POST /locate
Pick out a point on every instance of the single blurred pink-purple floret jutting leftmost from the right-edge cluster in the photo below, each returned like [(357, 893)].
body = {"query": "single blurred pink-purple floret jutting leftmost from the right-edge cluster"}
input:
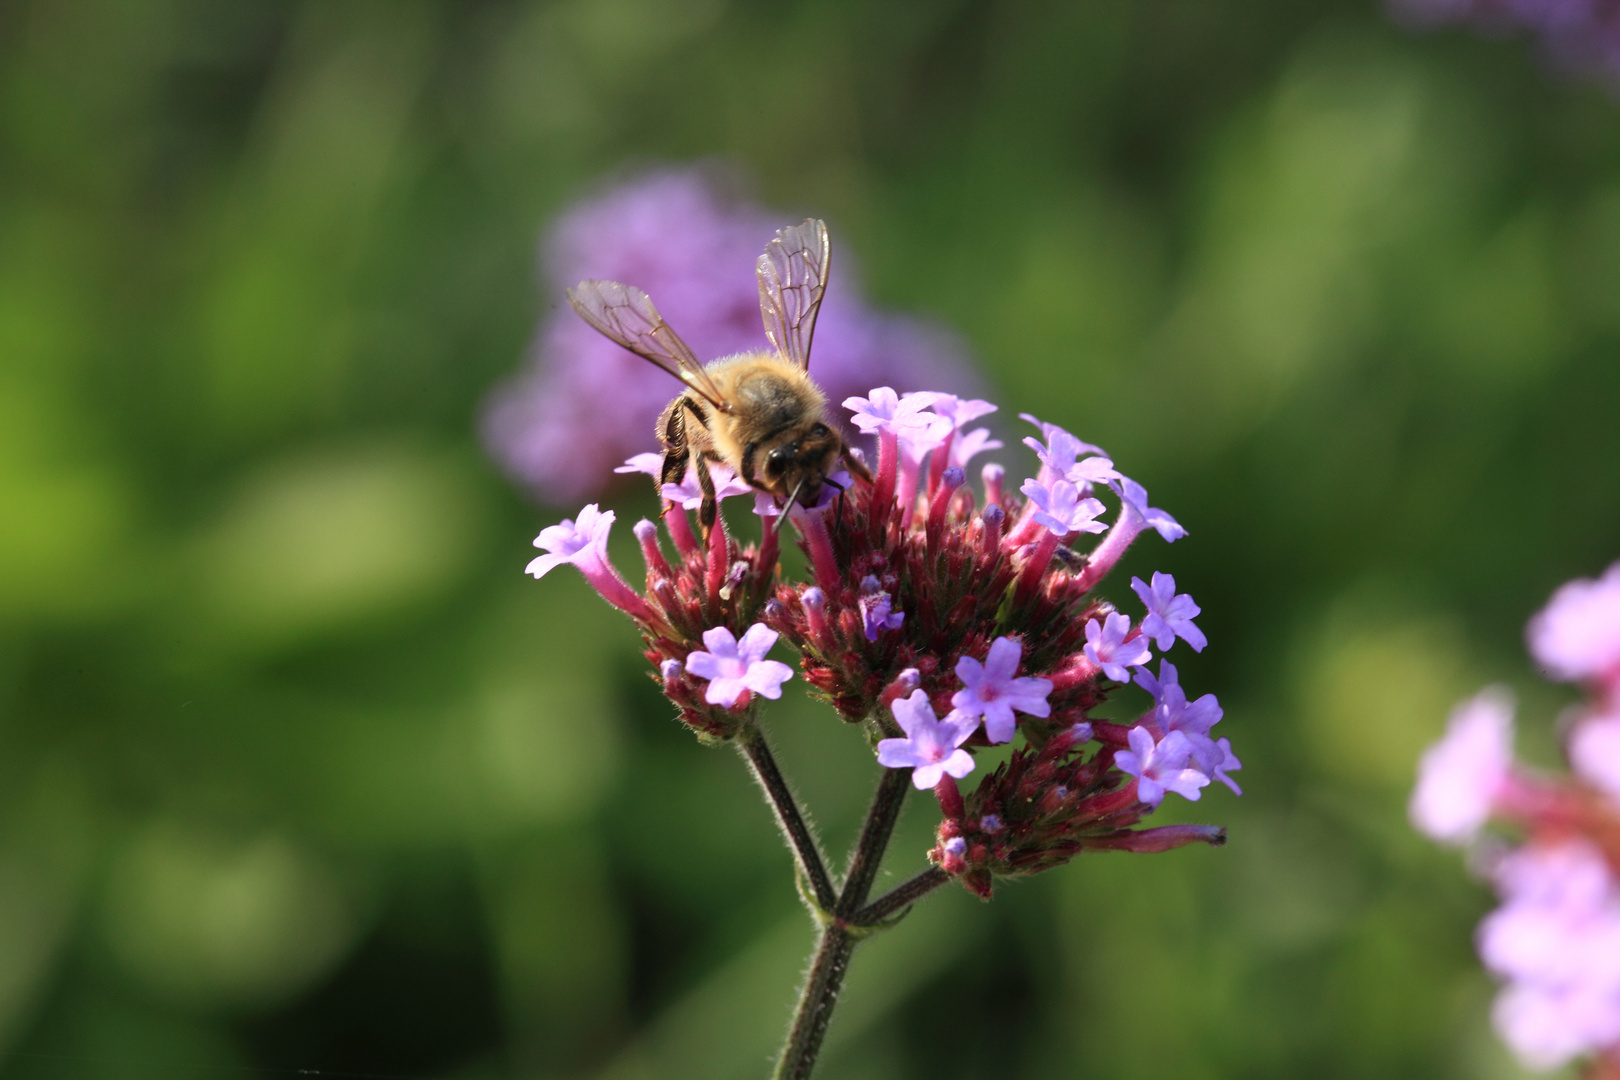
[(1459, 778)]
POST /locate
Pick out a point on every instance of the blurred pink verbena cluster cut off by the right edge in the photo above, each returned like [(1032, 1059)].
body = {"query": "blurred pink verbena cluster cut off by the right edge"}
[(1556, 940)]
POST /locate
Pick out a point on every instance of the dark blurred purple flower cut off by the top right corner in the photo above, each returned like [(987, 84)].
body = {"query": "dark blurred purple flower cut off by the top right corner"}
[(1580, 36)]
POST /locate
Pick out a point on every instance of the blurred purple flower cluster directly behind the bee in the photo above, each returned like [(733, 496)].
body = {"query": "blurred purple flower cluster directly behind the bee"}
[(584, 404)]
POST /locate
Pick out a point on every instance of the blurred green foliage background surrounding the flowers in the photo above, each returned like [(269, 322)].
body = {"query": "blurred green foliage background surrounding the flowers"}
[(299, 770)]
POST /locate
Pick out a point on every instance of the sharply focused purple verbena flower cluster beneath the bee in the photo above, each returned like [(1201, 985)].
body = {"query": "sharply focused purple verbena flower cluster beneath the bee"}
[(945, 623)]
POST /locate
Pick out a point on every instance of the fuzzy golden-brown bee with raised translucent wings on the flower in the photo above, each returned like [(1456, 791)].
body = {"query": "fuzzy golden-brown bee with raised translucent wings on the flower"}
[(757, 412)]
